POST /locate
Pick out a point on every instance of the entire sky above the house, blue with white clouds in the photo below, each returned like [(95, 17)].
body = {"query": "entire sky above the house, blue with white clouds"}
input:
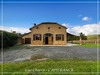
[(78, 17)]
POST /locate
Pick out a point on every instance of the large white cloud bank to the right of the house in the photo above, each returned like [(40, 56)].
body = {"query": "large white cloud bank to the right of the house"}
[(88, 29)]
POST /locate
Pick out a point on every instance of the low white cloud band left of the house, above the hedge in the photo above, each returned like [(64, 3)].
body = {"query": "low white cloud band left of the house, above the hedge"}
[(17, 29)]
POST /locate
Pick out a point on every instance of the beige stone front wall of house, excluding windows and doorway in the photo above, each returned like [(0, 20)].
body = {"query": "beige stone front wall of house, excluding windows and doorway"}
[(43, 29)]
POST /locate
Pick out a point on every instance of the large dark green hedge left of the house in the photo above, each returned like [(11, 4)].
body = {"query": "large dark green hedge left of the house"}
[(9, 39)]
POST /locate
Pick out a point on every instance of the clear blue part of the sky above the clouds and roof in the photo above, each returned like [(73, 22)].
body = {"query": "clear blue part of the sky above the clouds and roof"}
[(26, 14)]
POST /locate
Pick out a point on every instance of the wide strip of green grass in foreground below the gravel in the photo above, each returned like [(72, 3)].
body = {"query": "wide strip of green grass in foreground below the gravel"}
[(76, 64)]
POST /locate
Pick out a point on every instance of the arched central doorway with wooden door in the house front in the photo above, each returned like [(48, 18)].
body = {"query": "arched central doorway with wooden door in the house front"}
[(48, 39)]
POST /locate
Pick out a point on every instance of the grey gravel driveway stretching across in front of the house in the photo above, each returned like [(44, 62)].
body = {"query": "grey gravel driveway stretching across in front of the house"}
[(51, 52)]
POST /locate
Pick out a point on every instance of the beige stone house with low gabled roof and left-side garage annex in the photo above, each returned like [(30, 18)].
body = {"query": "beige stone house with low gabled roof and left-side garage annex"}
[(46, 33)]
